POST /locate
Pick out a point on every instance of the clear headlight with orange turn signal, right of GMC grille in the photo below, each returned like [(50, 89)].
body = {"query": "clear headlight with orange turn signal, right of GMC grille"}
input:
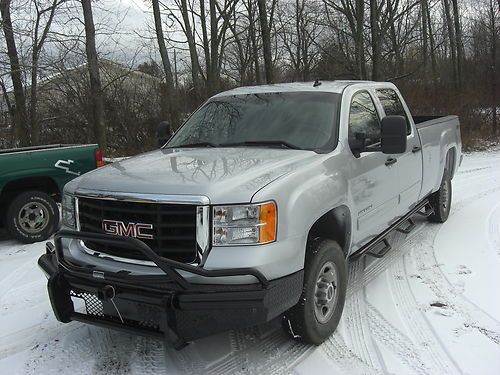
[(245, 224)]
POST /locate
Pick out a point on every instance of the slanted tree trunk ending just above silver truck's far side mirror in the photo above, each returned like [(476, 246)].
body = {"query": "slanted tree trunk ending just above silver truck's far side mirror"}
[(167, 67)]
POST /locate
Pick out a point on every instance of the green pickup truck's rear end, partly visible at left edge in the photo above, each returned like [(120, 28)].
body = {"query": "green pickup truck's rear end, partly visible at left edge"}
[(31, 183)]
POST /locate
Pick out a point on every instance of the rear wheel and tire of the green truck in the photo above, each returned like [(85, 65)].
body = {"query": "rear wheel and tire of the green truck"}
[(32, 216)]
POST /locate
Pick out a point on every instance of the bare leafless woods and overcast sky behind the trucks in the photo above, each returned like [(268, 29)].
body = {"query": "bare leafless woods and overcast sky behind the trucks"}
[(442, 54)]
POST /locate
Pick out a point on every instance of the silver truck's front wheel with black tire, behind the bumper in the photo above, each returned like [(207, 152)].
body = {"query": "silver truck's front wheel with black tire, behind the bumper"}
[(318, 312)]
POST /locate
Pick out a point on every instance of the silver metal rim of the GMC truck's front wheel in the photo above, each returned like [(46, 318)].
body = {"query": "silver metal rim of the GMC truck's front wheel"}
[(325, 293)]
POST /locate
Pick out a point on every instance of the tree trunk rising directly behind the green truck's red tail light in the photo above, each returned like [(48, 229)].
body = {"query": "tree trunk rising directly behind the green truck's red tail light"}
[(96, 94)]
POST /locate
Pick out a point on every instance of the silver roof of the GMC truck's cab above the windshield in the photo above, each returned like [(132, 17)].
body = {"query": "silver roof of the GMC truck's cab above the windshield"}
[(326, 86)]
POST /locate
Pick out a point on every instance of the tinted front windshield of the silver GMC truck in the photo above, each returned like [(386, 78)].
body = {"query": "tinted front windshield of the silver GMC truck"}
[(301, 120)]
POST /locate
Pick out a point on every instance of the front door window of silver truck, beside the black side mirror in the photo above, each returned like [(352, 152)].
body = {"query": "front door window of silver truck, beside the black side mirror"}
[(363, 121)]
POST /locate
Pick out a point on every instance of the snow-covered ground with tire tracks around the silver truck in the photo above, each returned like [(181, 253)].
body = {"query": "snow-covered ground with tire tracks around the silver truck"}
[(430, 306)]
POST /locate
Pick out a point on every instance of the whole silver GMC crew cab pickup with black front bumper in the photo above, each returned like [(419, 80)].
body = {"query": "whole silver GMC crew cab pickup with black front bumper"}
[(250, 211)]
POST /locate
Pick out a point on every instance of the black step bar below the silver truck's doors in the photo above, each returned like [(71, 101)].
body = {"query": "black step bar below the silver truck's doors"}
[(369, 248)]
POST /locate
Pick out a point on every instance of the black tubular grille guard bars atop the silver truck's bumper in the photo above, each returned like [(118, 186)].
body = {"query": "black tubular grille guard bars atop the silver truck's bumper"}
[(168, 266)]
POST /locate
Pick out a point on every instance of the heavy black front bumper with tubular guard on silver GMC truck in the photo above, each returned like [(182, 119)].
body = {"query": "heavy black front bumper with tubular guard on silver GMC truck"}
[(162, 306)]
